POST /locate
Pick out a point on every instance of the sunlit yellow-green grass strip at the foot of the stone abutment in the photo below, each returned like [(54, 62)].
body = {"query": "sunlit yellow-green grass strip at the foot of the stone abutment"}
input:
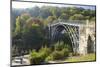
[(88, 57)]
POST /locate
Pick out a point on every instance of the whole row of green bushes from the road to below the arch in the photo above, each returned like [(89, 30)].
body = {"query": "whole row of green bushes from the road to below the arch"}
[(46, 54)]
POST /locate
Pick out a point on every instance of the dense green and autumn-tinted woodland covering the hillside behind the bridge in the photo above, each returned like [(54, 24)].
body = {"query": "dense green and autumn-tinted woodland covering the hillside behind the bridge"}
[(30, 26)]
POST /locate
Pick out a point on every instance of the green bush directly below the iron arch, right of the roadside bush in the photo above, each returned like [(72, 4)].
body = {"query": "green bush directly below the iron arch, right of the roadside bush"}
[(61, 50)]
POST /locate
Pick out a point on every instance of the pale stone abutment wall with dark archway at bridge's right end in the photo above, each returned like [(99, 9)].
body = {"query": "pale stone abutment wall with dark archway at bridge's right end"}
[(87, 39)]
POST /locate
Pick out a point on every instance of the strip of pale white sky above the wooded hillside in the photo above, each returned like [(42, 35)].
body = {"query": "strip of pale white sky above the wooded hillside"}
[(16, 4)]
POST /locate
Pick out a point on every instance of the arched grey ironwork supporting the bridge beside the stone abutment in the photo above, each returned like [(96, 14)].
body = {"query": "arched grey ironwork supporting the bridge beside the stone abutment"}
[(73, 32)]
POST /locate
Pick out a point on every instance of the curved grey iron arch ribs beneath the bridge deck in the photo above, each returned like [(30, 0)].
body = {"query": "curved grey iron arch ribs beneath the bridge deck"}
[(71, 31)]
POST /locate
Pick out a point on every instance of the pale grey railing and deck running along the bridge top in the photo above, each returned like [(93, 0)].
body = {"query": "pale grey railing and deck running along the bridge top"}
[(73, 22)]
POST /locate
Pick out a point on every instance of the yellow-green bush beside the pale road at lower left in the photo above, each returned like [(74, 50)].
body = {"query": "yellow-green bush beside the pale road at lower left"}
[(38, 57)]
